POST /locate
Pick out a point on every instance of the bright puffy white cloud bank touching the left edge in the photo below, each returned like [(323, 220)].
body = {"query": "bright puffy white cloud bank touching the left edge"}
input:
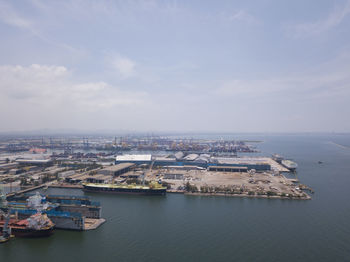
[(52, 87)]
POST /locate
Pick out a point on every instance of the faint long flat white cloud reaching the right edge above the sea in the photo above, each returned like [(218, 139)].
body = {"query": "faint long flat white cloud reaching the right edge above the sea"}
[(300, 87)]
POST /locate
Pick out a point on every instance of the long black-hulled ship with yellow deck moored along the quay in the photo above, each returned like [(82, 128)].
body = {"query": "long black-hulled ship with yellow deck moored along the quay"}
[(151, 189)]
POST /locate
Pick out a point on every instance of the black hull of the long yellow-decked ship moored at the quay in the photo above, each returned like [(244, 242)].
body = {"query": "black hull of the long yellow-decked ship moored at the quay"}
[(128, 191)]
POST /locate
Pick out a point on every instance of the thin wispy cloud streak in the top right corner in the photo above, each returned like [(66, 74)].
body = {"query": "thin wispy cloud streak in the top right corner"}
[(334, 19)]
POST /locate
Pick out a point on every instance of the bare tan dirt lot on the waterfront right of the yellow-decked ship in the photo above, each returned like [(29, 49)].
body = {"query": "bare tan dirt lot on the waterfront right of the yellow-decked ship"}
[(245, 183)]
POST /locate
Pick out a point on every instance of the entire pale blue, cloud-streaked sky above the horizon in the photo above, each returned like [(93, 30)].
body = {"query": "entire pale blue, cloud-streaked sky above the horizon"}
[(173, 66)]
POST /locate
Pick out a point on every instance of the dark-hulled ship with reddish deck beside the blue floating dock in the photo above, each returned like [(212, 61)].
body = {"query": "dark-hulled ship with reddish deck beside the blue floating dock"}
[(37, 225)]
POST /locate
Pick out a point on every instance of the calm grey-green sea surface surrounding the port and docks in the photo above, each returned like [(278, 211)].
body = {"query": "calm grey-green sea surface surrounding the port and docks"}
[(192, 228)]
